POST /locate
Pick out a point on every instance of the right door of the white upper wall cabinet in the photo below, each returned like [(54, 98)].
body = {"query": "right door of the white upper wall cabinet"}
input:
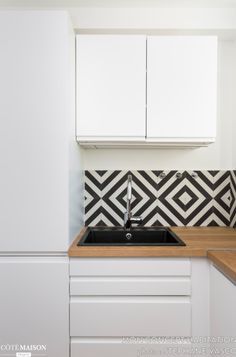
[(181, 88)]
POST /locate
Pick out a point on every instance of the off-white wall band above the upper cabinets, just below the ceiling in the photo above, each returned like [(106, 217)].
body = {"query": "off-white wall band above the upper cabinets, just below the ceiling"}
[(153, 18)]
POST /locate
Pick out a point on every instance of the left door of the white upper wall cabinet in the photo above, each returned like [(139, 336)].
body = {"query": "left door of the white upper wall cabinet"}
[(111, 77)]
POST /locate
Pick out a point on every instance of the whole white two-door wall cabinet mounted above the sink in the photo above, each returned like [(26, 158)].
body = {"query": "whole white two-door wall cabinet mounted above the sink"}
[(134, 90)]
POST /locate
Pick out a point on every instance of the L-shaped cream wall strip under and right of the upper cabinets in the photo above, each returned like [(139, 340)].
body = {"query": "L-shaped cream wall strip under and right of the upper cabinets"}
[(217, 156)]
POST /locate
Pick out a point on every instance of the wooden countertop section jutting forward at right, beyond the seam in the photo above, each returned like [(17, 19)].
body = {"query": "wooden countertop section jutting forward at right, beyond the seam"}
[(225, 261)]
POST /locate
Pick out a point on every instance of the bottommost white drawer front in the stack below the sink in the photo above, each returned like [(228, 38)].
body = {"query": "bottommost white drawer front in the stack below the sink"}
[(133, 347)]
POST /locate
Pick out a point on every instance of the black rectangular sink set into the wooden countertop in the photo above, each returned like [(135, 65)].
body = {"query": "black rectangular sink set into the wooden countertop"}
[(141, 236)]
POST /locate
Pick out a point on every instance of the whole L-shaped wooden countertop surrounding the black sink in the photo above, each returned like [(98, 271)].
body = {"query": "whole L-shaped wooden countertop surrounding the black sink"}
[(216, 243)]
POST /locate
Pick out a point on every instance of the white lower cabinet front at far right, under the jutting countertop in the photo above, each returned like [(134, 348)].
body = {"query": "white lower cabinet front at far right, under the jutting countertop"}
[(222, 312)]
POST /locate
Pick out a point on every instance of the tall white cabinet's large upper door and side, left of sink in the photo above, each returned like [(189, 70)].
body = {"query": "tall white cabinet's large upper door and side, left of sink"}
[(36, 141)]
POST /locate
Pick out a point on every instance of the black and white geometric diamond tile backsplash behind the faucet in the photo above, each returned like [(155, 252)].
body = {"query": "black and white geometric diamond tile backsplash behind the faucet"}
[(166, 198)]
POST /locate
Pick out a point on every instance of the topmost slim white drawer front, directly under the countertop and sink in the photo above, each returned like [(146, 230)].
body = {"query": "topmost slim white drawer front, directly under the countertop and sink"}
[(130, 266)]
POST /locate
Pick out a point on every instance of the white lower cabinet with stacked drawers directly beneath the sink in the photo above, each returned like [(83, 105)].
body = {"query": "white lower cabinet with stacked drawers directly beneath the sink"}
[(130, 306)]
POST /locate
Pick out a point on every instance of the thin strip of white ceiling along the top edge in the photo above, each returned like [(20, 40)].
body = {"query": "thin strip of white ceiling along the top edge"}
[(120, 3)]
